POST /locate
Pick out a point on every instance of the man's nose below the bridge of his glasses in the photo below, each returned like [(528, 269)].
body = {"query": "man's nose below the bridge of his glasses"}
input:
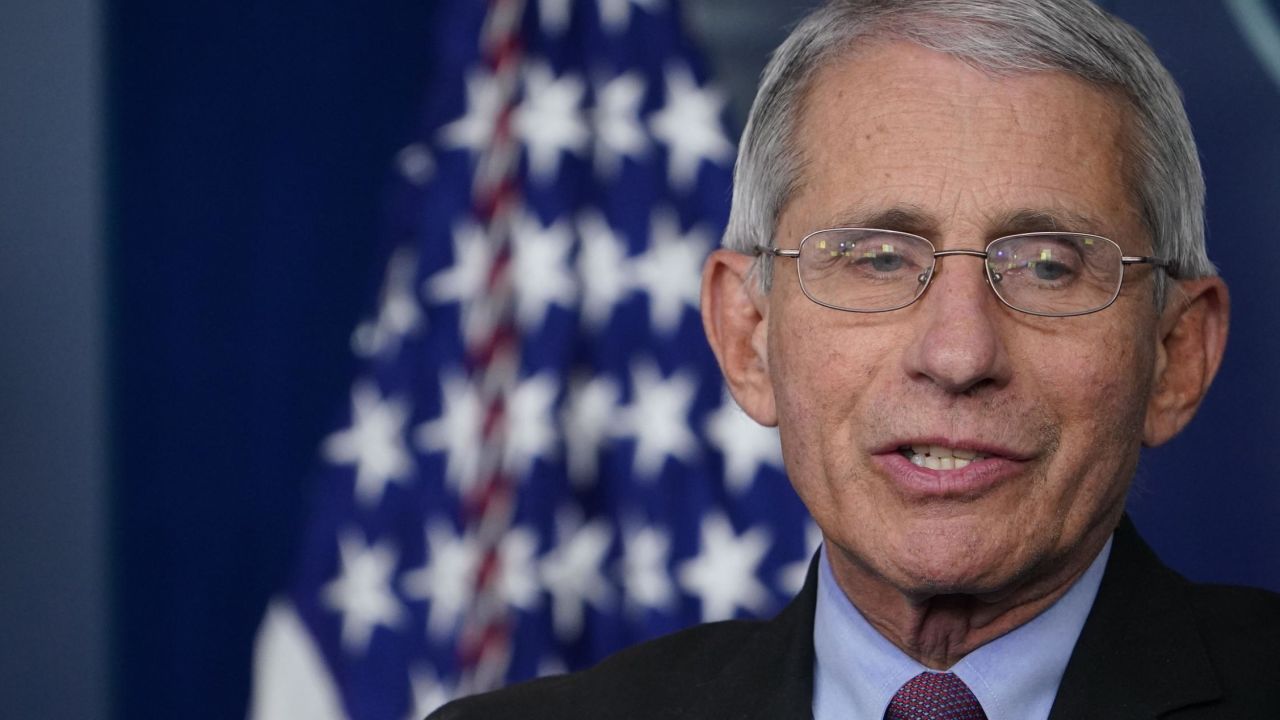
[(958, 343)]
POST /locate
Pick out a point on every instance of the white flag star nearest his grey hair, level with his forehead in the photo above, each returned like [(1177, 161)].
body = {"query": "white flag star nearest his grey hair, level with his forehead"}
[(691, 127)]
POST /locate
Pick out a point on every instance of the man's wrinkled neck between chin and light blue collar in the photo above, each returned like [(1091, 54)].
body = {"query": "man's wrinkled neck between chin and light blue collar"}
[(938, 631)]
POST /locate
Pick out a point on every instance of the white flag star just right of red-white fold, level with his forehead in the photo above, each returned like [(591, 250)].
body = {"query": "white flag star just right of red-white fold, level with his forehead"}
[(550, 120)]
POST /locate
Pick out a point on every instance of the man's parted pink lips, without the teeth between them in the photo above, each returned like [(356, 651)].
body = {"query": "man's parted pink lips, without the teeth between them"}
[(970, 482)]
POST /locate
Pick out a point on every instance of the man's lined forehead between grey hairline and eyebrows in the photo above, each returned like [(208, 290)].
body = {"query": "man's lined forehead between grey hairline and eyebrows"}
[(899, 129)]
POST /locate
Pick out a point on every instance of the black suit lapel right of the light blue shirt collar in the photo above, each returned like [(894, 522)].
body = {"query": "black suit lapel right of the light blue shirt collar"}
[(1140, 654)]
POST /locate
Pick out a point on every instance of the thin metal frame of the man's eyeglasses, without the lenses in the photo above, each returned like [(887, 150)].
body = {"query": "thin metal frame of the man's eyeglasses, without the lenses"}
[(1126, 261)]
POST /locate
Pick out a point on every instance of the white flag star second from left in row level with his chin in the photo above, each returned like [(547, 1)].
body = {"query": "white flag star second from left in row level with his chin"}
[(446, 580)]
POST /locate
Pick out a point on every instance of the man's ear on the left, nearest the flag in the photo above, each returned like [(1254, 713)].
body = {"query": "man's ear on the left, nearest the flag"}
[(735, 316)]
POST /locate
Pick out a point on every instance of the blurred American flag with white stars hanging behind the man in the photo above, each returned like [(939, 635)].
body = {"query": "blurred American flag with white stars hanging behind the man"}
[(540, 464)]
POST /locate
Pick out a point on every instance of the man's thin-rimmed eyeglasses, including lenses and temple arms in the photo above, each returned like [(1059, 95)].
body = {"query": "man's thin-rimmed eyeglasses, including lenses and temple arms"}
[(1055, 275)]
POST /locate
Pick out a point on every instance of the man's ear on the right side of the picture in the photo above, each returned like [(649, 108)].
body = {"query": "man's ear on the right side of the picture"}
[(1192, 340)]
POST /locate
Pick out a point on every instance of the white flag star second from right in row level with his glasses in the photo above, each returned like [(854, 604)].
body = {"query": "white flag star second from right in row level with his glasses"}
[(602, 263)]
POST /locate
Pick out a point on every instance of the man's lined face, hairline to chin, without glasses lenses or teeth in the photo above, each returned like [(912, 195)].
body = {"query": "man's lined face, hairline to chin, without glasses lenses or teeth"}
[(906, 139)]
